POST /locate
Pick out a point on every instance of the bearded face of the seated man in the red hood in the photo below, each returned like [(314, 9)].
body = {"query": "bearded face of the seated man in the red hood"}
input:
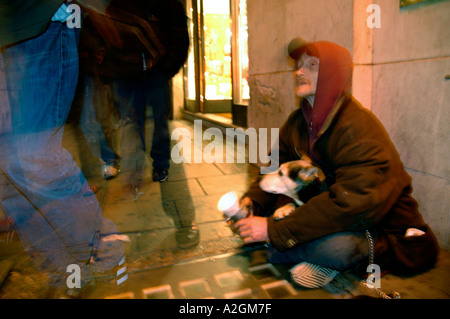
[(306, 75)]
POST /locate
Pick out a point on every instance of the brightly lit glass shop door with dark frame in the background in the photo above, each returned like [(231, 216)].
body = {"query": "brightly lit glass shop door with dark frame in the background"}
[(217, 66)]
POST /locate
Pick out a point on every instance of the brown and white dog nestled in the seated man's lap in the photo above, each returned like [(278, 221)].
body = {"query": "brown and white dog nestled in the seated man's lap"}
[(290, 179)]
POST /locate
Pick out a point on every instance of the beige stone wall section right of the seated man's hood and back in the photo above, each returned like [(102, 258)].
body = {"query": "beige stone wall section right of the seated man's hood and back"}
[(408, 61)]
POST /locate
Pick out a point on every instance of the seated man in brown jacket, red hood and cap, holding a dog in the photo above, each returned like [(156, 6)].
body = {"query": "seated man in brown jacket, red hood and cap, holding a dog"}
[(368, 195)]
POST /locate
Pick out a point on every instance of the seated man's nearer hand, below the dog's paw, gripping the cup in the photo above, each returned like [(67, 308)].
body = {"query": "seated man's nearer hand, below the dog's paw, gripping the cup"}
[(252, 229)]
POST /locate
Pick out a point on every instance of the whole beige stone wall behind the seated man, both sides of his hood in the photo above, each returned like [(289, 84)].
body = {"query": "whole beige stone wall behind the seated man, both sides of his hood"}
[(400, 71)]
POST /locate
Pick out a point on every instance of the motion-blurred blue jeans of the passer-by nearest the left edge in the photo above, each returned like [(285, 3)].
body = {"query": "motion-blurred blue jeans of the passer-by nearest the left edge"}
[(41, 184)]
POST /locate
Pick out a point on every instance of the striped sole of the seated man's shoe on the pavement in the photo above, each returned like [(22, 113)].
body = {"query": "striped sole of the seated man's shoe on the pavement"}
[(312, 276)]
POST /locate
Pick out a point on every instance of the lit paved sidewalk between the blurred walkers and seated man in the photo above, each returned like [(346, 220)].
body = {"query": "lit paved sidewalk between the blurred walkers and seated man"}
[(219, 266)]
